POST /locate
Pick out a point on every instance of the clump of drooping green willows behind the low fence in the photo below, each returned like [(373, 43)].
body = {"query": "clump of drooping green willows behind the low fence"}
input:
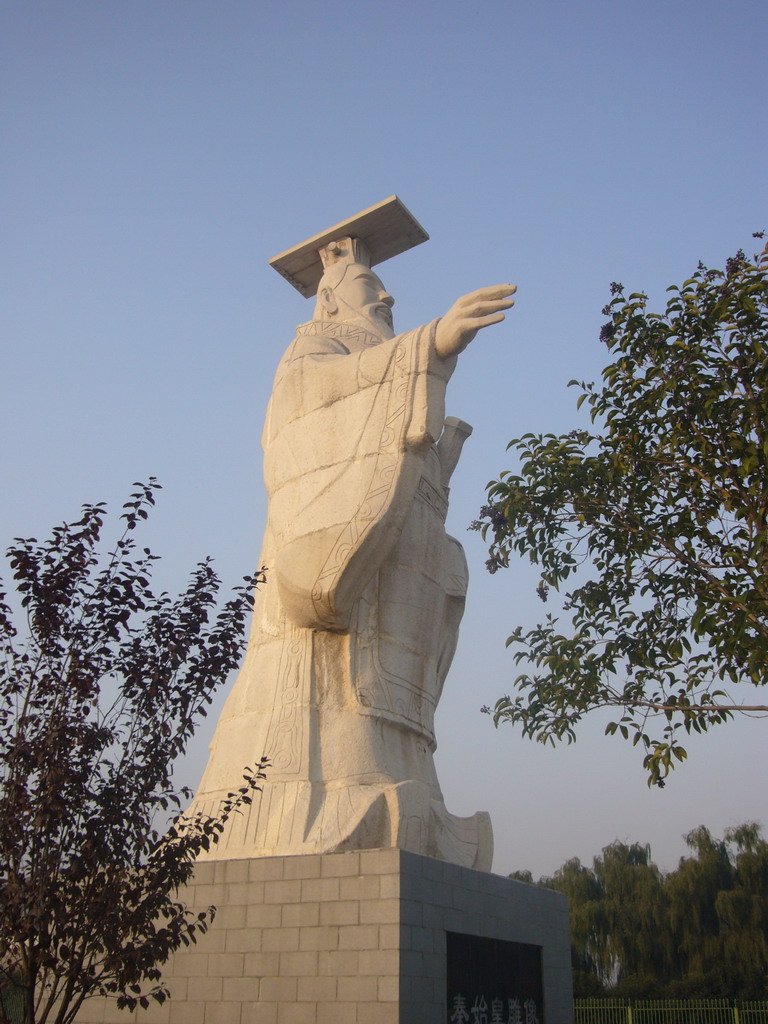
[(699, 931)]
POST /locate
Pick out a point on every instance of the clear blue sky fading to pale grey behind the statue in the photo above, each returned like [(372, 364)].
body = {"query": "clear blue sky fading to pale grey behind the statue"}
[(155, 155)]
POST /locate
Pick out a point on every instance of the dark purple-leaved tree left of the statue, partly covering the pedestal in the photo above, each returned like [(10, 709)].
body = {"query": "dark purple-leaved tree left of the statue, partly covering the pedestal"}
[(102, 684)]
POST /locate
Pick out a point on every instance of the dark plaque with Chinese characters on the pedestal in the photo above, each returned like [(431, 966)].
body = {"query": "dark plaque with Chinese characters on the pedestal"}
[(491, 982)]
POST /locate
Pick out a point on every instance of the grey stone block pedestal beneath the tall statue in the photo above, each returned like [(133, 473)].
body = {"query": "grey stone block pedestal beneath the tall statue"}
[(356, 938)]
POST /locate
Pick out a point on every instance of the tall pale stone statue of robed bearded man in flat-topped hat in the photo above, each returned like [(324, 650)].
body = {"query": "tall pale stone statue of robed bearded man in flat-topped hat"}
[(357, 626)]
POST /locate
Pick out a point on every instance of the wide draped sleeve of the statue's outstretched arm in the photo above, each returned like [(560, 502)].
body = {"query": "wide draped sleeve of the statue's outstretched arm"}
[(345, 448)]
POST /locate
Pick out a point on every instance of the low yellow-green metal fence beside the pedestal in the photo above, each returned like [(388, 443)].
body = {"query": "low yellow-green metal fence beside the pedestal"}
[(671, 1012)]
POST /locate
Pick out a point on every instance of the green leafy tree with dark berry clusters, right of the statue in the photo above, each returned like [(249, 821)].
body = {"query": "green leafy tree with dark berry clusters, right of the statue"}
[(662, 508)]
